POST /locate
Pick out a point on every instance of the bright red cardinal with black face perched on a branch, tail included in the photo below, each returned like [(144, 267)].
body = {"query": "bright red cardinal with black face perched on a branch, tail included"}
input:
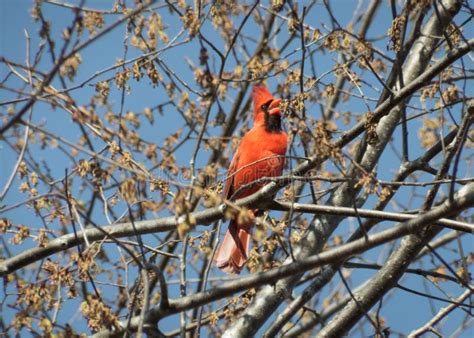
[(260, 154)]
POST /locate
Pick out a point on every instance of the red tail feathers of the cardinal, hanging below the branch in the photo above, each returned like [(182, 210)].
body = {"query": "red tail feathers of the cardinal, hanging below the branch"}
[(233, 252)]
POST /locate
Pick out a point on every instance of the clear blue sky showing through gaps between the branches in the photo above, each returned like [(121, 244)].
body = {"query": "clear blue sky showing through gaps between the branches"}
[(405, 311)]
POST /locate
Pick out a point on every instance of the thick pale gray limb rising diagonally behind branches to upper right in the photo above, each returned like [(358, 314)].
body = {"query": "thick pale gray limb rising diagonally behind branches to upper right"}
[(268, 298)]
